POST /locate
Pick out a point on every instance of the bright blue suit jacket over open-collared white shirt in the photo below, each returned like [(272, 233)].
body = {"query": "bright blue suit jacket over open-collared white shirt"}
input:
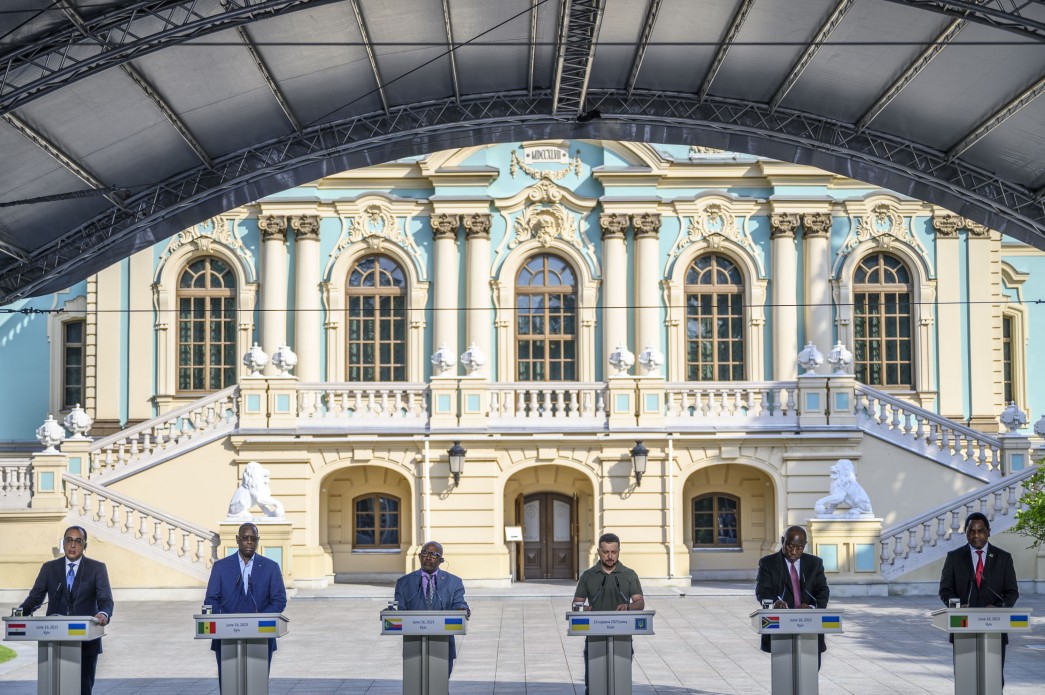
[(265, 594)]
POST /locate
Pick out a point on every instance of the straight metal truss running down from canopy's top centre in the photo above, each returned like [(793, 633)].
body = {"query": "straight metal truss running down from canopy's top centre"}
[(578, 33)]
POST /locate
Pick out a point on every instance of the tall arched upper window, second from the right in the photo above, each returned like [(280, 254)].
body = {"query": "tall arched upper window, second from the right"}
[(714, 320)]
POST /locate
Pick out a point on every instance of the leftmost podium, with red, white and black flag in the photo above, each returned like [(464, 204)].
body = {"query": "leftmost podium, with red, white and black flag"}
[(61, 645)]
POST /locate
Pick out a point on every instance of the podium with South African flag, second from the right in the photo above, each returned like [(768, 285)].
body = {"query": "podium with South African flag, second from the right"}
[(795, 643)]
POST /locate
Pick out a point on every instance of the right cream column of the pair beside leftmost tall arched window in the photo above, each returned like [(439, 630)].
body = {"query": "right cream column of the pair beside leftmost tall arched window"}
[(308, 318)]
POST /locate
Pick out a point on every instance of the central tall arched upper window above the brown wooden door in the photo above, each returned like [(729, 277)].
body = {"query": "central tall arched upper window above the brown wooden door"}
[(546, 321)]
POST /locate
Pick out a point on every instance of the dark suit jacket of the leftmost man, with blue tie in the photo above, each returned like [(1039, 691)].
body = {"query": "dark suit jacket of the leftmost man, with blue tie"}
[(90, 594)]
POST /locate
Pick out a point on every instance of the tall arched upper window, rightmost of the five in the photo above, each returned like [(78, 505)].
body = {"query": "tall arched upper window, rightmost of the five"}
[(883, 322)]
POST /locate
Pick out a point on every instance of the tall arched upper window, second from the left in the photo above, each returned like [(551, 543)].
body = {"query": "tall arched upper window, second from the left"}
[(377, 320)]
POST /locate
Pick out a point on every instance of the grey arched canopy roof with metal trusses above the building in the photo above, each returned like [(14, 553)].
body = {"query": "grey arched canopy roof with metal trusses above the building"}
[(142, 119)]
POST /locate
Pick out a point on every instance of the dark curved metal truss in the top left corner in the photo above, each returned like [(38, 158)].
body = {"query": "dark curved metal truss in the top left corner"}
[(119, 36)]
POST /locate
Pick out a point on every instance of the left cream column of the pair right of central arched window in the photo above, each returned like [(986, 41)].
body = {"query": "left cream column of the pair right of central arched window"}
[(615, 298)]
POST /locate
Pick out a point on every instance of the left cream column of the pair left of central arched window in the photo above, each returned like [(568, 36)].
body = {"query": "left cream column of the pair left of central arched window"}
[(445, 334)]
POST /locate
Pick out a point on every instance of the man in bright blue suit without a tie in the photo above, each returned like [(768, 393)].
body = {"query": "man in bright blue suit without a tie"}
[(246, 583)]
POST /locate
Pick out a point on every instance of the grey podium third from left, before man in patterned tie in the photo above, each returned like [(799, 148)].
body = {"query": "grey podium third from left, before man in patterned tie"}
[(426, 647)]
